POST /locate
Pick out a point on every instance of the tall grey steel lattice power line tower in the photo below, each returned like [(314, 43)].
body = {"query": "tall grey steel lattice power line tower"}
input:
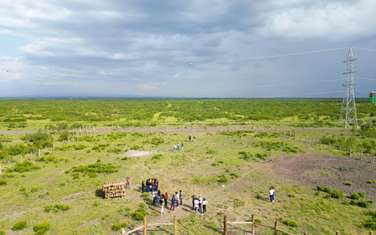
[(348, 113)]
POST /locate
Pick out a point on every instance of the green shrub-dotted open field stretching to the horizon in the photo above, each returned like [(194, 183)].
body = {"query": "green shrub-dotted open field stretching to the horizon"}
[(56, 154)]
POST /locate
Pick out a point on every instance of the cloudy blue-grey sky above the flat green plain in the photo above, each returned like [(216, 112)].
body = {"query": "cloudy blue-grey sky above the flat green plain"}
[(180, 48)]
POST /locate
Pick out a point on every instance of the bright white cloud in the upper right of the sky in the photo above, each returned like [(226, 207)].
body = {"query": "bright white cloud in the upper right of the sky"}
[(328, 20)]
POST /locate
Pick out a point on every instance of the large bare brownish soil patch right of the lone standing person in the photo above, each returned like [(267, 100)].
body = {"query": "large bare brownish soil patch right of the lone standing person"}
[(330, 171)]
